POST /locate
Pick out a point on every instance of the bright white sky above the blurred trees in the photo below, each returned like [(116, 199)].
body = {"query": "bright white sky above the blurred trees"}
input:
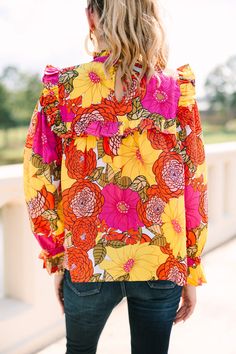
[(40, 32)]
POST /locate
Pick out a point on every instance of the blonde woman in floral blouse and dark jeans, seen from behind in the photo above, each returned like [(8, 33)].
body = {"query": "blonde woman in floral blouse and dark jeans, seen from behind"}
[(116, 183)]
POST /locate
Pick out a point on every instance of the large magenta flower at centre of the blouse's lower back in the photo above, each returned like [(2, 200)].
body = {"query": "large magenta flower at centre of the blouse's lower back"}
[(119, 209)]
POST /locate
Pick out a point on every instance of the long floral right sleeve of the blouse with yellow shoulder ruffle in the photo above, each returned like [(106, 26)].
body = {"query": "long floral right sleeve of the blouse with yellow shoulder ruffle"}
[(195, 193)]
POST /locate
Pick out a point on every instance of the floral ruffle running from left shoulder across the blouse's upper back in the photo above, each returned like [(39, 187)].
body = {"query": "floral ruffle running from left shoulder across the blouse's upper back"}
[(68, 123)]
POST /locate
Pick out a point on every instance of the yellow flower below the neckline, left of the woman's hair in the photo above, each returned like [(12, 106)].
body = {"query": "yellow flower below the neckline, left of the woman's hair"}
[(92, 84)]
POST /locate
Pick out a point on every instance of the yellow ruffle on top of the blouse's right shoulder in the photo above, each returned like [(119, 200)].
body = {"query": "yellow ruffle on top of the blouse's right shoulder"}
[(186, 81)]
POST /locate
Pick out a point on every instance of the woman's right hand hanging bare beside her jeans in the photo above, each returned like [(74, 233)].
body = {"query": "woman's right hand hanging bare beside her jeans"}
[(189, 299)]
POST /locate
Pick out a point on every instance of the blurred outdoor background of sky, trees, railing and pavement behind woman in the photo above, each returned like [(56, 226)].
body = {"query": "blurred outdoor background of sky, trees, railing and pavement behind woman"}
[(37, 33)]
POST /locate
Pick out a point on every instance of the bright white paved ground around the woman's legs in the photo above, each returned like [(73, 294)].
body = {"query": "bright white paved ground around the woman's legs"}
[(210, 329)]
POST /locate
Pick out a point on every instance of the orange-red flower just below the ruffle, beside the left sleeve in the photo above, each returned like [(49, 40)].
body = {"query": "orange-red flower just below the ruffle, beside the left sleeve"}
[(79, 164)]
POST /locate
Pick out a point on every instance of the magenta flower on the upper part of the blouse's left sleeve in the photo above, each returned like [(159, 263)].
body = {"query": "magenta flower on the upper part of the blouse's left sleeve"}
[(45, 140)]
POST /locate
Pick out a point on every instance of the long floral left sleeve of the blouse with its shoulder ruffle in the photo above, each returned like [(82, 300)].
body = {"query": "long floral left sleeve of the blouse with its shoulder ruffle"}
[(41, 170)]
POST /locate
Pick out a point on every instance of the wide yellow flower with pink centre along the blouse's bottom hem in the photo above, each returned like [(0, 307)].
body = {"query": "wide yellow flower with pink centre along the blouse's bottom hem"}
[(139, 260)]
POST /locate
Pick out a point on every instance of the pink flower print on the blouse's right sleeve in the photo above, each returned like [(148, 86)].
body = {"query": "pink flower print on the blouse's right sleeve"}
[(193, 217)]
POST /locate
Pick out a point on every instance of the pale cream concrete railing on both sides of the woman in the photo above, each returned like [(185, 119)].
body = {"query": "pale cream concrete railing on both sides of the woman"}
[(30, 317)]
